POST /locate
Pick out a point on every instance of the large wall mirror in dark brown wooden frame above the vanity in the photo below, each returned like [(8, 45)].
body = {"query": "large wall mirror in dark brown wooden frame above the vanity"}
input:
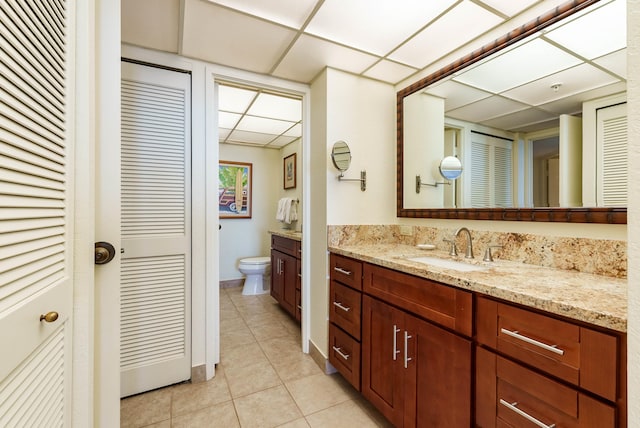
[(537, 118)]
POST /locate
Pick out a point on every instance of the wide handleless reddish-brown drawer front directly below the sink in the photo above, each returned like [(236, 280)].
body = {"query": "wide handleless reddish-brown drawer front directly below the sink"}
[(447, 306)]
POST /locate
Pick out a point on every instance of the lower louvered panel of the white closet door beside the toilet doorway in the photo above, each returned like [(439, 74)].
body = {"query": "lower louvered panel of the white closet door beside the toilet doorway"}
[(152, 291)]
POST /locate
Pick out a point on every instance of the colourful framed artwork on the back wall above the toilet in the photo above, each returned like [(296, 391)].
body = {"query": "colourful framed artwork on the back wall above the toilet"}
[(234, 189)]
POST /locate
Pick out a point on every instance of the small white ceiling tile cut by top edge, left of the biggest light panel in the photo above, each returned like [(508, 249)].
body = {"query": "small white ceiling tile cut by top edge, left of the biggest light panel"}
[(285, 12)]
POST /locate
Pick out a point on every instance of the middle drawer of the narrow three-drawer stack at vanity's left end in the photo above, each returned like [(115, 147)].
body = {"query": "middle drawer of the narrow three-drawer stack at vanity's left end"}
[(345, 306)]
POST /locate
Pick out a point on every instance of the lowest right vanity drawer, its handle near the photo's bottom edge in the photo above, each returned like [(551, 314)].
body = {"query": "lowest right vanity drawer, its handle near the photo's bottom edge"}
[(508, 394)]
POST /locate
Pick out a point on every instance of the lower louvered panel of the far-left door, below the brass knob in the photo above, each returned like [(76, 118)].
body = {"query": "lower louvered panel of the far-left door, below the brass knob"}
[(31, 396)]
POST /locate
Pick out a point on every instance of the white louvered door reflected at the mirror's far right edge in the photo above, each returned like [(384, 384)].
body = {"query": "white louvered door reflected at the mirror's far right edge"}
[(611, 142)]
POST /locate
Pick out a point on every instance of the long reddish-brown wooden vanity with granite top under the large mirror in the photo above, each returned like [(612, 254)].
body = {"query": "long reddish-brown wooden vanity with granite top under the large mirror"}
[(501, 344)]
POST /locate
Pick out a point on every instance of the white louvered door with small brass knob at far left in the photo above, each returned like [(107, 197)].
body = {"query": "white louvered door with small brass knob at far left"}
[(35, 213)]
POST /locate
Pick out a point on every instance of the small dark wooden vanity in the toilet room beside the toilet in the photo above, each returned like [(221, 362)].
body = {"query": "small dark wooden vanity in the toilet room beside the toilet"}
[(286, 271)]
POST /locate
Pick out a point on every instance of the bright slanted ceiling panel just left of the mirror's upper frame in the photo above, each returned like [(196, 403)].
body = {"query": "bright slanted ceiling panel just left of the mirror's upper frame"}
[(445, 35)]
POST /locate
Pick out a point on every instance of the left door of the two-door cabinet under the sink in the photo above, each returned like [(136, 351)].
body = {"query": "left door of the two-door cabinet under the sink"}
[(382, 362)]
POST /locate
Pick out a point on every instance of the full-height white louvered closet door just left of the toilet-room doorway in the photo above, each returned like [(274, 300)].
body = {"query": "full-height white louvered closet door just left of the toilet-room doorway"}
[(155, 335)]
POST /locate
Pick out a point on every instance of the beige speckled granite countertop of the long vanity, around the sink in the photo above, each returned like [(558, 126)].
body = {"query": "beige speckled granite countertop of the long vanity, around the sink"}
[(594, 299)]
